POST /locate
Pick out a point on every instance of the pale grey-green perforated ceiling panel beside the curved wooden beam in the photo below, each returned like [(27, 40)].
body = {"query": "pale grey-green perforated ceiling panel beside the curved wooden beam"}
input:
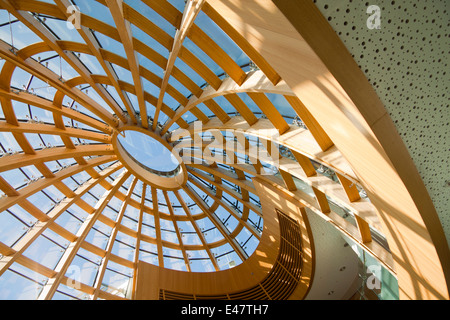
[(403, 49)]
